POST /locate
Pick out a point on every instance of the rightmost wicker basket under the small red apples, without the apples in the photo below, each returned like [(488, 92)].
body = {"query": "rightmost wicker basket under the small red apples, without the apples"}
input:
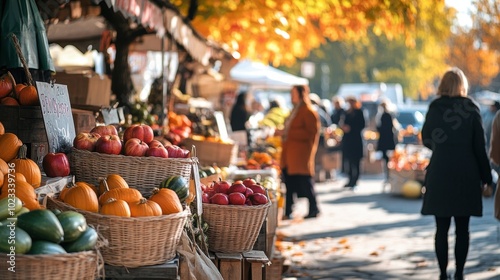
[(233, 228)]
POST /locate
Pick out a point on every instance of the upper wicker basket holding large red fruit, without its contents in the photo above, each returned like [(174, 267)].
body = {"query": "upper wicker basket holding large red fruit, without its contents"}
[(143, 173)]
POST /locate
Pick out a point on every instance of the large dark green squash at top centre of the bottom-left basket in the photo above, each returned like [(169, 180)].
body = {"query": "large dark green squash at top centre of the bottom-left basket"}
[(41, 224)]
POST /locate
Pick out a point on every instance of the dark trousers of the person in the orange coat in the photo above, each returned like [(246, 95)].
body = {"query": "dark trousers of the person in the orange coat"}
[(299, 186)]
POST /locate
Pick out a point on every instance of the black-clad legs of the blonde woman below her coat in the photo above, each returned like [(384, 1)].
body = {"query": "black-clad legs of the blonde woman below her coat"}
[(461, 242)]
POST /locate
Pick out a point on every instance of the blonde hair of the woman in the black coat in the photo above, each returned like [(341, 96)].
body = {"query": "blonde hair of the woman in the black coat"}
[(453, 83)]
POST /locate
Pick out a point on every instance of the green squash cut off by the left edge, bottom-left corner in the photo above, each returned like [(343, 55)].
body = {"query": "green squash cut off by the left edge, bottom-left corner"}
[(20, 244)]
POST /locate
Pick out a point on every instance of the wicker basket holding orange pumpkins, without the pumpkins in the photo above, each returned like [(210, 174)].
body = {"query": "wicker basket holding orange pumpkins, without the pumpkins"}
[(134, 242)]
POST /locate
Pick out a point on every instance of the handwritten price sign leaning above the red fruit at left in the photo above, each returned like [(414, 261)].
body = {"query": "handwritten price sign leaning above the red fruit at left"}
[(57, 116)]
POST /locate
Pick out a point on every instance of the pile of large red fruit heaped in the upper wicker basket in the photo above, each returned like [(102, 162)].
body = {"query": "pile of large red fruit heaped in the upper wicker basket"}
[(138, 140)]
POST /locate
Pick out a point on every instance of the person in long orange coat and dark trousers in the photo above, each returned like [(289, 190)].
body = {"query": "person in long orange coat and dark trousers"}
[(299, 144)]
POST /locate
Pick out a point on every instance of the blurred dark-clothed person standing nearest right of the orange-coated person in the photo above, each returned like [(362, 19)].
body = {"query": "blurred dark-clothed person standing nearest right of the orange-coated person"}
[(352, 140)]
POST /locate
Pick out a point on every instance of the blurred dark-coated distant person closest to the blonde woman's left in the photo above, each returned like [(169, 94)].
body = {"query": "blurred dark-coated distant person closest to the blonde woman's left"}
[(385, 127)]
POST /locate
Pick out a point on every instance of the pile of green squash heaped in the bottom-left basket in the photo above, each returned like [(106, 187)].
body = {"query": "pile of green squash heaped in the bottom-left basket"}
[(42, 231)]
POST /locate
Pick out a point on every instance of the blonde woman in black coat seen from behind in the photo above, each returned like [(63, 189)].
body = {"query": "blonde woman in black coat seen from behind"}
[(458, 168)]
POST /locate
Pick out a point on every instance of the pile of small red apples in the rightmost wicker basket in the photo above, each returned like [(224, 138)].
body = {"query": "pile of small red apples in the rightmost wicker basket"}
[(242, 192)]
